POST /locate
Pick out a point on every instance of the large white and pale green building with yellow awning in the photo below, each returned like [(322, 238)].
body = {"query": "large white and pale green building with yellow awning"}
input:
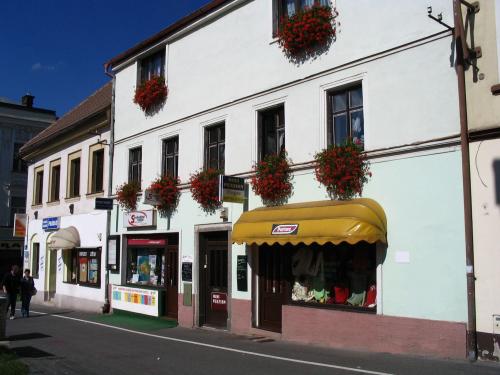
[(238, 91)]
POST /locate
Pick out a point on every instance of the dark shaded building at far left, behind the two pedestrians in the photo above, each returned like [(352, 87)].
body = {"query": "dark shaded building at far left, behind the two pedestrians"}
[(18, 124)]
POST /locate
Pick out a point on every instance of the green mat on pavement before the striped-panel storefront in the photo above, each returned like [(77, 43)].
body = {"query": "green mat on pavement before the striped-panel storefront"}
[(139, 322)]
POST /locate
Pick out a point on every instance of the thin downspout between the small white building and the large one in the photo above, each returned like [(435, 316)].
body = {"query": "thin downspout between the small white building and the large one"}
[(107, 305)]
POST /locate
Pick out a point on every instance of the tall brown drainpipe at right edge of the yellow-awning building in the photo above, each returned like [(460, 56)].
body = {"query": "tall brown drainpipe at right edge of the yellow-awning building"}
[(462, 55)]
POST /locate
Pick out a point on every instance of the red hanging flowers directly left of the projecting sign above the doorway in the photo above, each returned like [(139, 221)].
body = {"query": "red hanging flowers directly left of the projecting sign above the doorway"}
[(205, 189)]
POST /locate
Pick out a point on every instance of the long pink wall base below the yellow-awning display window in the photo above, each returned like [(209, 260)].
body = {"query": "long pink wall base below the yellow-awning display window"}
[(350, 330)]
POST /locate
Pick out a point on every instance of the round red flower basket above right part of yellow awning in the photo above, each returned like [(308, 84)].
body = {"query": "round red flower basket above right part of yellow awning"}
[(343, 170)]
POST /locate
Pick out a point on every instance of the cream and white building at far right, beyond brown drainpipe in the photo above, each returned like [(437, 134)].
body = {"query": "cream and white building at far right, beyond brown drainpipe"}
[(483, 113)]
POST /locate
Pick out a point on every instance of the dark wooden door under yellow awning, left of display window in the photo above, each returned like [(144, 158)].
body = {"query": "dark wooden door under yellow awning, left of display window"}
[(272, 286)]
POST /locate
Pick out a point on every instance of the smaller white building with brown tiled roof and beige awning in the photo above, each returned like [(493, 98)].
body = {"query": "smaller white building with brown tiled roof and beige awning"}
[(66, 236)]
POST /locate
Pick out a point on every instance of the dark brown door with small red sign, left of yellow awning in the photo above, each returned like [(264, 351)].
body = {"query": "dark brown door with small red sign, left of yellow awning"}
[(213, 279)]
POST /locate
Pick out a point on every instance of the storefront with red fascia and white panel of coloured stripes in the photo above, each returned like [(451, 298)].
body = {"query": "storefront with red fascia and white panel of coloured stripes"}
[(151, 276)]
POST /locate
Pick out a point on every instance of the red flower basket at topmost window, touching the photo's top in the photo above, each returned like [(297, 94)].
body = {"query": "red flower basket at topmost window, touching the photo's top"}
[(306, 30)]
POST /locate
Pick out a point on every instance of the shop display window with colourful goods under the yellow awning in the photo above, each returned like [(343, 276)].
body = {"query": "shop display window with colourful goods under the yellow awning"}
[(341, 275)]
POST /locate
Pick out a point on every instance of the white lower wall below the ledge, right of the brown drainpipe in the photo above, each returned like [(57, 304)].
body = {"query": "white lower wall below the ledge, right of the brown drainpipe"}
[(485, 180)]
